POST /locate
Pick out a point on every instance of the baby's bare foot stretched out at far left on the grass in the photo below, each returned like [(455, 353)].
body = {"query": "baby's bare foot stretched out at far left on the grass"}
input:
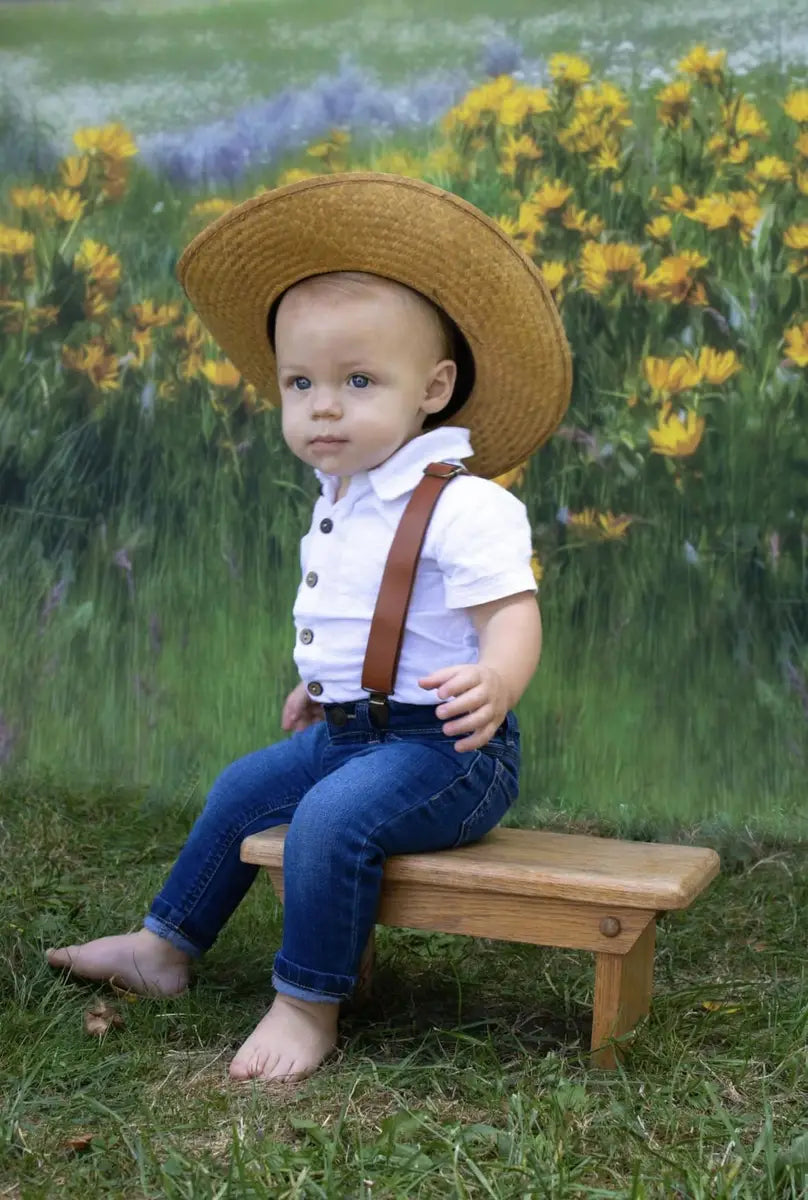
[(141, 962)]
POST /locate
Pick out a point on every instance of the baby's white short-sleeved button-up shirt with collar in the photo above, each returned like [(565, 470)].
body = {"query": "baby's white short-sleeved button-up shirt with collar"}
[(478, 548)]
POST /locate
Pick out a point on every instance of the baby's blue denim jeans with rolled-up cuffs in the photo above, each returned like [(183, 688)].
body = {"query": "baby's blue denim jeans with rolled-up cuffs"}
[(352, 795)]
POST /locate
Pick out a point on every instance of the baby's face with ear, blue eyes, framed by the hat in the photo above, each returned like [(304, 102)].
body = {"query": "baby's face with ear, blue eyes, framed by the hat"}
[(361, 359)]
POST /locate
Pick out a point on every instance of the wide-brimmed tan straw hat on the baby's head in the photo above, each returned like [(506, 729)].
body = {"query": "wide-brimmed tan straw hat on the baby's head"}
[(417, 235)]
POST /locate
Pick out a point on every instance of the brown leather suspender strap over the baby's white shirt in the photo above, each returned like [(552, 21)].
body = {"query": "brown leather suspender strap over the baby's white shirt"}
[(388, 625)]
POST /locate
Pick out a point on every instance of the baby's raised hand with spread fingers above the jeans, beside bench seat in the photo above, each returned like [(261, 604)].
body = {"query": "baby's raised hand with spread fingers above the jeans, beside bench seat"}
[(481, 694)]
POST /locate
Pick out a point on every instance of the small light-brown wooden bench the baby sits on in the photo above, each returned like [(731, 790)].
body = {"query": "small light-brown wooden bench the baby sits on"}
[(579, 892)]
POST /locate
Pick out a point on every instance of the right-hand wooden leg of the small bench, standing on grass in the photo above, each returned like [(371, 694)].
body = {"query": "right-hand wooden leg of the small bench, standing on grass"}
[(623, 995)]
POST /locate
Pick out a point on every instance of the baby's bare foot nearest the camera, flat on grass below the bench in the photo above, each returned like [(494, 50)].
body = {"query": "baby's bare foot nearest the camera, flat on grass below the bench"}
[(290, 1042)]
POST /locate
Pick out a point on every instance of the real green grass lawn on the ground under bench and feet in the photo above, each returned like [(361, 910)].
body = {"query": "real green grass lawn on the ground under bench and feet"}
[(465, 1075)]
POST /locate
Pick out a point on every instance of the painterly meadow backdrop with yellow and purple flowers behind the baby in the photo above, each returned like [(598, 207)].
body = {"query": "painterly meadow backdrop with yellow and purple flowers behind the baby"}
[(151, 512)]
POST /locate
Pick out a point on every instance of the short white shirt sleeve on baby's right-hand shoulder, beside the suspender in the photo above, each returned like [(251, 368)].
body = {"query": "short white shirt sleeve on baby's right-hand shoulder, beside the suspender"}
[(483, 544)]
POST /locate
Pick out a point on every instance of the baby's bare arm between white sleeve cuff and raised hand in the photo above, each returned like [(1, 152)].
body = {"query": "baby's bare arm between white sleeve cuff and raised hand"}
[(510, 632)]
